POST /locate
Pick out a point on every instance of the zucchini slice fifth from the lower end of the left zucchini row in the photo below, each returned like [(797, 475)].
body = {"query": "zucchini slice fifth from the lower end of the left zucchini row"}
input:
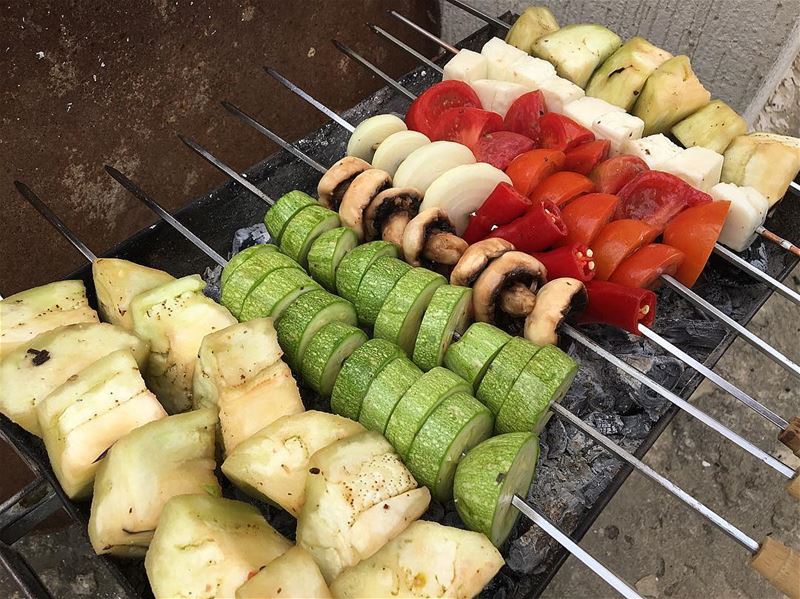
[(357, 374)]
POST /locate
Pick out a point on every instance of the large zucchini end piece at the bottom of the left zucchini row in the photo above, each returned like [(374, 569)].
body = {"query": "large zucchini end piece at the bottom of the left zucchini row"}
[(487, 479)]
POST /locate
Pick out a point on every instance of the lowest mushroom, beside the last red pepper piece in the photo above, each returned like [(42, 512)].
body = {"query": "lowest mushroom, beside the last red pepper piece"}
[(556, 301)]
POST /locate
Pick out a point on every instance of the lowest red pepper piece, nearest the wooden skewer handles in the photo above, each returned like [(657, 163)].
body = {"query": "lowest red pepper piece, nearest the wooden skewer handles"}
[(623, 307)]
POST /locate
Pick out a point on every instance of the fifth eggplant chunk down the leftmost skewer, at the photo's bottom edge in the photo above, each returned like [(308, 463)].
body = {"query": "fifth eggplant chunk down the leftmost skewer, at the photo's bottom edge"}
[(208, 547)]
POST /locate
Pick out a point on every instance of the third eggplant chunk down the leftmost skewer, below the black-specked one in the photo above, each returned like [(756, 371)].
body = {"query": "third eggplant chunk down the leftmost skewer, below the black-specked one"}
[(91, 411)]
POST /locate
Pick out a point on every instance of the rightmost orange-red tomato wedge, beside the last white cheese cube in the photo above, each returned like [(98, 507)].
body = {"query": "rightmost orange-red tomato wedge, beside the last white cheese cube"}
[(695, 231)]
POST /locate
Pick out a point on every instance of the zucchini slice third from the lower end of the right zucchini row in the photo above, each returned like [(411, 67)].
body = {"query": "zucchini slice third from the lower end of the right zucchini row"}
[(470, 356)]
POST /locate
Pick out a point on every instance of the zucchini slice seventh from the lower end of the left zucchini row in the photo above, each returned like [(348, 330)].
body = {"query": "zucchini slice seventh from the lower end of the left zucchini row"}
[(307, 315)]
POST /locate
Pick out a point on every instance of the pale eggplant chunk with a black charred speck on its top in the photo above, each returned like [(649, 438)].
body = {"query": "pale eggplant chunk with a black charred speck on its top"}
[(31, 372)]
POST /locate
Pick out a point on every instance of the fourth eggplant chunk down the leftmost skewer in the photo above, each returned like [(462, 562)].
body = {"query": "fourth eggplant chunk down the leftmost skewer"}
[(131, 487)]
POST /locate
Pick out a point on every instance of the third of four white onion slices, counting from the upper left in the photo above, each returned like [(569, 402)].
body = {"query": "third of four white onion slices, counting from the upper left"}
[(424, 165)]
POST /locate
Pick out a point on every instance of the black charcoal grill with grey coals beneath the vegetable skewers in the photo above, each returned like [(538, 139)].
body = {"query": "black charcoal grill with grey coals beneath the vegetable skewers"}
[(615, 404)]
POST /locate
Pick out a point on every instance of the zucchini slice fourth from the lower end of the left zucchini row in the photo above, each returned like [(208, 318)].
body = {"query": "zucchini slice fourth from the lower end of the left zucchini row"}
[(388, 387)]
